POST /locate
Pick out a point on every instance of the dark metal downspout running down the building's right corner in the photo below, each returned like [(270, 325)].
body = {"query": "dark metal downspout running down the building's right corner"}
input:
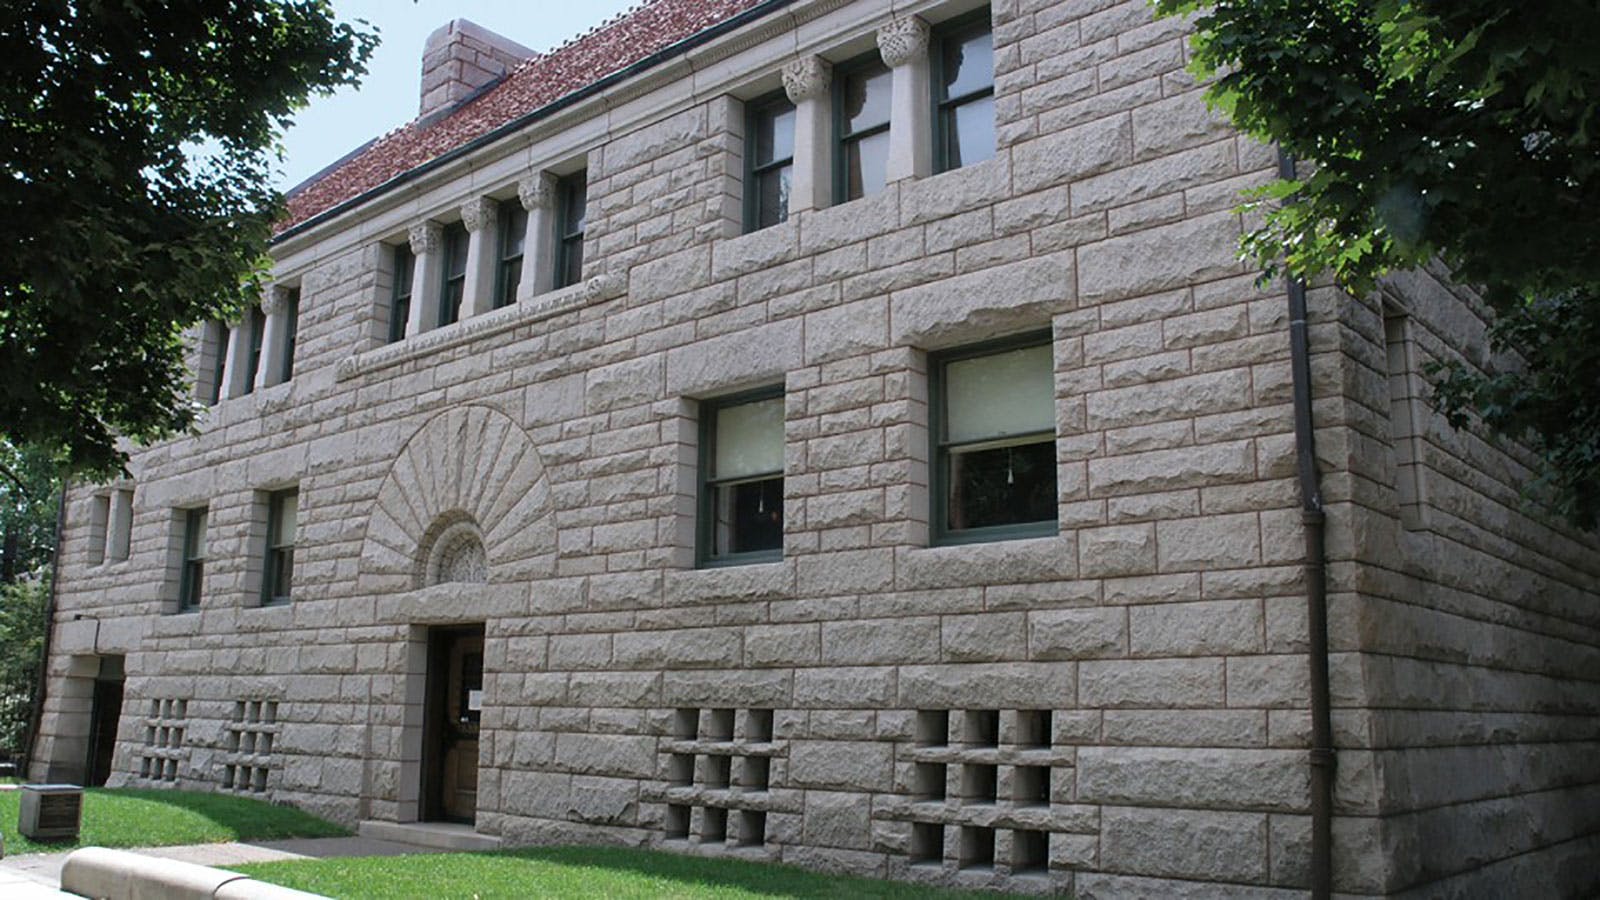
[(1322, 757)]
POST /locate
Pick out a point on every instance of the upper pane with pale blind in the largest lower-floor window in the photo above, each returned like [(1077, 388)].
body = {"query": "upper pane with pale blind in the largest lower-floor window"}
[(1001, 395)]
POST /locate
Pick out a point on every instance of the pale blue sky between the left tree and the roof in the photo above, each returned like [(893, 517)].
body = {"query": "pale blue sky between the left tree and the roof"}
[(388, 98)]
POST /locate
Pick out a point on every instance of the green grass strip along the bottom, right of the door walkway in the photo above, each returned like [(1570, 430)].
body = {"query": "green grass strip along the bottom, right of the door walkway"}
[(574, 872)]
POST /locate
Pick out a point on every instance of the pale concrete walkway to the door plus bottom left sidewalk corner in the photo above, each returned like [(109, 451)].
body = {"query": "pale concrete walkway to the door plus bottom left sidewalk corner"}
[(38, 877)]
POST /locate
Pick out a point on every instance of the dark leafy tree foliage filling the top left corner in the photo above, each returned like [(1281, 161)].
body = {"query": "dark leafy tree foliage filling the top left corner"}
[(137, 140)]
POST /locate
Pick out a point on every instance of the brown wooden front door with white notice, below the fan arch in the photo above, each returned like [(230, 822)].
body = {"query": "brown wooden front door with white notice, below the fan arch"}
[(452, 713)]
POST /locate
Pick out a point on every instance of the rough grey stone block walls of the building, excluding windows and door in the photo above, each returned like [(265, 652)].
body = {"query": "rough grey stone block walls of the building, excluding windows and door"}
[(1118, 707)]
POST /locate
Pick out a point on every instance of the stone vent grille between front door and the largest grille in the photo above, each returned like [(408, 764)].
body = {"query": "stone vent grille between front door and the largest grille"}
[(719, 766)]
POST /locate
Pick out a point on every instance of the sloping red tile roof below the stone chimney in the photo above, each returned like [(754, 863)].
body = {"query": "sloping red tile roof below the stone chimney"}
[(580, 63)]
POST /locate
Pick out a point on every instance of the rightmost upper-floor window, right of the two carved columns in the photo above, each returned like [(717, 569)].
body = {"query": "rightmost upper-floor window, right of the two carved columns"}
[(964, 92)]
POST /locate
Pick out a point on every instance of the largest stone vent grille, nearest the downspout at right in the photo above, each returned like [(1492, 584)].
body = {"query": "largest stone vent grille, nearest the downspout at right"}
[(983, 792)]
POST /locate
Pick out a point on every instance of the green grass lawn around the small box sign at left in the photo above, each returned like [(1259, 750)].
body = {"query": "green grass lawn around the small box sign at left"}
[(161, 819)]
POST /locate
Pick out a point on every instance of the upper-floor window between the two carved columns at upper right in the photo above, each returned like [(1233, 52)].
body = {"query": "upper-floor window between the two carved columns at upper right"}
[(862, 127)]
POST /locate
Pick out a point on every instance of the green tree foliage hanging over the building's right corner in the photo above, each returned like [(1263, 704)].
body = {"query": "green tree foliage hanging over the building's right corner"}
[(1463, 131)]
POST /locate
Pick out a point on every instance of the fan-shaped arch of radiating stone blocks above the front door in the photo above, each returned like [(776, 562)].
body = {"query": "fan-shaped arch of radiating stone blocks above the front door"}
[(470, 460)]
